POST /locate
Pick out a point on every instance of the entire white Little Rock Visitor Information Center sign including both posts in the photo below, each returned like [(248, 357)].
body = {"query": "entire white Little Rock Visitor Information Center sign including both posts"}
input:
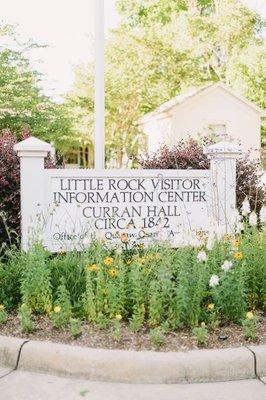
[(66, 209)]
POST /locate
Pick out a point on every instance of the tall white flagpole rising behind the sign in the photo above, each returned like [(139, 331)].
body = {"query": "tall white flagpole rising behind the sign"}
[(99, 105)]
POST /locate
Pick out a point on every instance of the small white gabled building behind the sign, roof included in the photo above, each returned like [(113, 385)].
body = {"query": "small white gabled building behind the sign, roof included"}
[(213, 108)]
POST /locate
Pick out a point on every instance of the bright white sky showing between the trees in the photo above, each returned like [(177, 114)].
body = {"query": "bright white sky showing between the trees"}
[(67, 27)]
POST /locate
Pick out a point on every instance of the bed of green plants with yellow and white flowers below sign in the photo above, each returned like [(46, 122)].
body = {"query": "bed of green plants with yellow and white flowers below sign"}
[(206, 284)]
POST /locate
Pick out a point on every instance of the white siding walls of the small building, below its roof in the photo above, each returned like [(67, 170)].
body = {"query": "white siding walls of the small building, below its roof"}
[(195, 115)]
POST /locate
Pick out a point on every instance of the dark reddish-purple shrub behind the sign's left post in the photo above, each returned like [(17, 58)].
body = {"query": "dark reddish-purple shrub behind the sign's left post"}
[(10, 188)]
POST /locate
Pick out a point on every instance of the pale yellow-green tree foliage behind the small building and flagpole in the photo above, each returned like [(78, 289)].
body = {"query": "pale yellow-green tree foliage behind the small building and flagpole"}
[(161, 48)]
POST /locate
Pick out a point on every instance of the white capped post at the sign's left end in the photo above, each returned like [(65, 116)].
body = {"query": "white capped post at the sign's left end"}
[(31, 152)]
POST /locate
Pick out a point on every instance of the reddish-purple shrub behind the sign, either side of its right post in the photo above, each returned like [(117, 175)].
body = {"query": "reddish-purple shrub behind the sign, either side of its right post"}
[(188, 154)]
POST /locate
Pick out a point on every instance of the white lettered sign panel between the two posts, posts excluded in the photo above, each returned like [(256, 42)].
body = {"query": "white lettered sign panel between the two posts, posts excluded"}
[(136, 205)]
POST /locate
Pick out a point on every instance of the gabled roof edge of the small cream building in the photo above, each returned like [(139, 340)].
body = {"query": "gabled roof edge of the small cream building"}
[(190, 94)]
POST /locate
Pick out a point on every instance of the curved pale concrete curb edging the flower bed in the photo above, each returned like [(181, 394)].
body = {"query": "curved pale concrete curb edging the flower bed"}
[(134, 367)]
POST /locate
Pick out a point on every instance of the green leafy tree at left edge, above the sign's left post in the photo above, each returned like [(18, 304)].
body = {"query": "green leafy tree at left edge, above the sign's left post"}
[(22, 103)]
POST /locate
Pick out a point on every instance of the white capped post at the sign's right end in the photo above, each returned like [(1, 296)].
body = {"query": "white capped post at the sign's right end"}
[(223, 156)]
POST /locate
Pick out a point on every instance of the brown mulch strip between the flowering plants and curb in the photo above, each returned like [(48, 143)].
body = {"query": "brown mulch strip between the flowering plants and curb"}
[(182, 340)]
